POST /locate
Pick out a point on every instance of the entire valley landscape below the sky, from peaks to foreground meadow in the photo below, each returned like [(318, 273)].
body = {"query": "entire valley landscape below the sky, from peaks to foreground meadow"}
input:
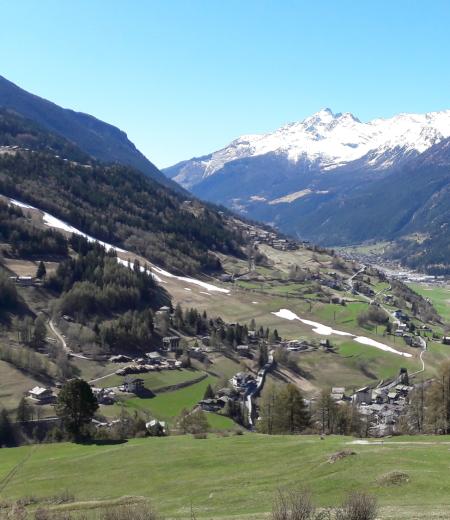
[(177, 352)]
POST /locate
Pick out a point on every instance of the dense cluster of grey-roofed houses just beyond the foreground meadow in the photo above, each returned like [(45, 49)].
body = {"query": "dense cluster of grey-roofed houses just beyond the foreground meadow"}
[(382, 406)]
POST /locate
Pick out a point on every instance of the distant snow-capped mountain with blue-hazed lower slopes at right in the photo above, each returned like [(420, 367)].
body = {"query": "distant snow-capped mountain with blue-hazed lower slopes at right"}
[(333, 179)]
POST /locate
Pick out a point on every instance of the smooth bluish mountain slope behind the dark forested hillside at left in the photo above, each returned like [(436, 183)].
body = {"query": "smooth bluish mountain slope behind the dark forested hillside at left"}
[(100, 140)]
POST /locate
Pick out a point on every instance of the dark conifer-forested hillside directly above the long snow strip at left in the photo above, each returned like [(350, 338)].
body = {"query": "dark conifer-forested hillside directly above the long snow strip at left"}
[(112, 202)]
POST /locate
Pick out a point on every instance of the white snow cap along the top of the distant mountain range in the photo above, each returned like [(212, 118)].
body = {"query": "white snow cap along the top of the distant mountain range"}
[(328, 141)]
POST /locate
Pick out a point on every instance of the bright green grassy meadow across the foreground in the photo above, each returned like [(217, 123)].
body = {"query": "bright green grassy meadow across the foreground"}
[(234, 477)]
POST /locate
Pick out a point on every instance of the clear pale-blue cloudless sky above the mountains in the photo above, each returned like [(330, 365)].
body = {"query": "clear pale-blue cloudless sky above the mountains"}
[(185, 77)]
